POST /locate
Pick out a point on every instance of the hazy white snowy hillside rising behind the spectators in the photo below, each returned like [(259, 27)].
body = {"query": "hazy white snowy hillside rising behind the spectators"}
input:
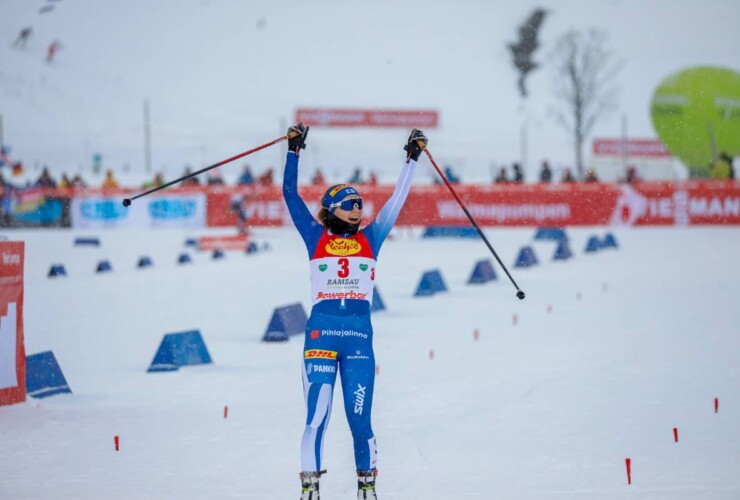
[(223, 76)]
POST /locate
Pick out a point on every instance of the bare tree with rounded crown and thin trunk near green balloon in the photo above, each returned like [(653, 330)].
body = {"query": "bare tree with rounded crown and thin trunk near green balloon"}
[(583, 84)]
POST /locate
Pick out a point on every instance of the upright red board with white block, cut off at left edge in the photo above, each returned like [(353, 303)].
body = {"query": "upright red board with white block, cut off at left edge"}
[(12, 351)]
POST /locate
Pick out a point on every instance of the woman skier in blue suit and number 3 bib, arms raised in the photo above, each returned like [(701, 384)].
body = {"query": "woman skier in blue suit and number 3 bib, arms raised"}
[(339, 335)]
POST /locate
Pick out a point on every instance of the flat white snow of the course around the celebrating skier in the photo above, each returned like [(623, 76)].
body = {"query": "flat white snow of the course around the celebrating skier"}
[(639, 340)]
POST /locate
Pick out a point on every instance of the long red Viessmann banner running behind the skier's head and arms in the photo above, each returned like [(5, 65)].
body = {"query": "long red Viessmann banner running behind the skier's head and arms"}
[(646, 203)]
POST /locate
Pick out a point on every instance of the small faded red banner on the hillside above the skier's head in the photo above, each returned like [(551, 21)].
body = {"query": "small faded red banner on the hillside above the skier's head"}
[(333, 117)]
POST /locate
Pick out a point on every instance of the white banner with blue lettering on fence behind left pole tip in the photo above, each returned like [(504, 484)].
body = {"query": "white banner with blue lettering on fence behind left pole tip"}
[(175, 210)]
